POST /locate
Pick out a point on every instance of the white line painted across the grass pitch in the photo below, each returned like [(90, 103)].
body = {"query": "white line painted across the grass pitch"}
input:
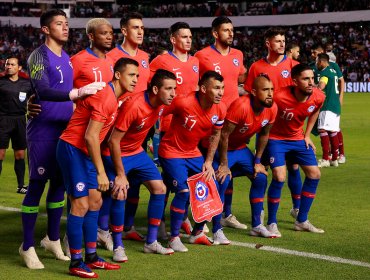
[(254, 246)]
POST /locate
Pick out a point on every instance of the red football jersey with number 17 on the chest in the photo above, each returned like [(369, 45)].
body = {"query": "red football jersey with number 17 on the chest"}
[(190, 123)]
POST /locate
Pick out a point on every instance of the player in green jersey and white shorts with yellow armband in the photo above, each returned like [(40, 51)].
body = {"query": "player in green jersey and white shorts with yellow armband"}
[(329, 118)]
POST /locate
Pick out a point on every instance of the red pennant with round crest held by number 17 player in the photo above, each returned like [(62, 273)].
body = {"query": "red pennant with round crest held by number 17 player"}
[(205, 201)]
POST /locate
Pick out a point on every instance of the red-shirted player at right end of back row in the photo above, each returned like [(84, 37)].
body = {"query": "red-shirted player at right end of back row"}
[(278, 66)]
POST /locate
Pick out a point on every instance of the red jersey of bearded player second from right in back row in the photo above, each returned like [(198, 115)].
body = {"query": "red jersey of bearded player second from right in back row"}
[(230, 66)]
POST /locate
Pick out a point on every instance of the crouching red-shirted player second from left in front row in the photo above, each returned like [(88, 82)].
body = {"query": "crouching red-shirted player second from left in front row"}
[(135, 118)]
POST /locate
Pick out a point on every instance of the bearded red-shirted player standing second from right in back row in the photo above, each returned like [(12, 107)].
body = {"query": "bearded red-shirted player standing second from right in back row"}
[(228, 62)]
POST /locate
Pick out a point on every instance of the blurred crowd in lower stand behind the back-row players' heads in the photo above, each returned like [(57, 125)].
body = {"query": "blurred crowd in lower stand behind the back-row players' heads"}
[(351, 43)]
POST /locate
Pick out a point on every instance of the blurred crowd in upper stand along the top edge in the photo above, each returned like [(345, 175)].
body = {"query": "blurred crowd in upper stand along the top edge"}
[(206, 9)]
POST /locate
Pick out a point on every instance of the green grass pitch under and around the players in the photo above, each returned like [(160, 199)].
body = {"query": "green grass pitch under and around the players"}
[(341, 208)]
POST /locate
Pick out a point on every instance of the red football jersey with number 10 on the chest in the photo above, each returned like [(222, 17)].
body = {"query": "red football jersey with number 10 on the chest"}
[(292, 114)]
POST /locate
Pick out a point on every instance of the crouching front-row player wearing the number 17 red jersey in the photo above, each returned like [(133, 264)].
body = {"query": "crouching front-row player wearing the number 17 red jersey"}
[(194, 118)]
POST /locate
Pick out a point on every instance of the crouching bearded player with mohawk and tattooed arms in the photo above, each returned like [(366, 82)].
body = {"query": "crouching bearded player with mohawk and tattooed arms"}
[(248, 115)]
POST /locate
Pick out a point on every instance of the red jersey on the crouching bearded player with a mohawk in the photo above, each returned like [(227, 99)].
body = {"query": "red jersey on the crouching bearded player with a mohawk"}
[(247, 123)]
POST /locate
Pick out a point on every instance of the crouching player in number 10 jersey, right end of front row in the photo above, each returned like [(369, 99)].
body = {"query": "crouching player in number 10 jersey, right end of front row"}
[(288, 141)]
